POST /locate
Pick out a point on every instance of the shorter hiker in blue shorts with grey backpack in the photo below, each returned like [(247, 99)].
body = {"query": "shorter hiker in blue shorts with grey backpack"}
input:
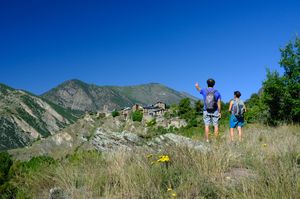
[(237, 109)]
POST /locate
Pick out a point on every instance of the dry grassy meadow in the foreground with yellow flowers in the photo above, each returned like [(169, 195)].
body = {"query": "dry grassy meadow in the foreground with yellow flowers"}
[(264, 165)]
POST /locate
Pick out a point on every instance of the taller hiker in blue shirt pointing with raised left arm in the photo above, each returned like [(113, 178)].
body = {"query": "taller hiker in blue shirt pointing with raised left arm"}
[(212, 107)]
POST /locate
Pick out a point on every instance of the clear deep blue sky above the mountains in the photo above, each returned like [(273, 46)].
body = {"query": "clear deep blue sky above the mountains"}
[(176, 43)]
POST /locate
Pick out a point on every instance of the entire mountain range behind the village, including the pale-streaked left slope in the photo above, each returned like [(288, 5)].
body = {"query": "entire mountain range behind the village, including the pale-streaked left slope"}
[(25, 117)]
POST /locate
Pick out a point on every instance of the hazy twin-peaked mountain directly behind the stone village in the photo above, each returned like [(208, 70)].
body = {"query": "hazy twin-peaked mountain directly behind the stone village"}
[(80, 96)]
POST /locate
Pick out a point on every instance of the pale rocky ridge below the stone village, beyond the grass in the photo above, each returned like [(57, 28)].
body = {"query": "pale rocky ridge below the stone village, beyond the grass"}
[(105, 135)]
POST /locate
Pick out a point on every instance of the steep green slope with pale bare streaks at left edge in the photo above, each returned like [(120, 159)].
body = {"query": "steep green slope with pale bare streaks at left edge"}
[(25, 117)]
